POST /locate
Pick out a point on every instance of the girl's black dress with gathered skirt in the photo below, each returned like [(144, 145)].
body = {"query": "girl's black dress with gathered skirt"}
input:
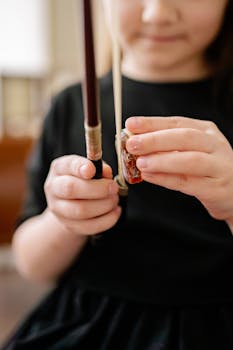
[(162, 277)]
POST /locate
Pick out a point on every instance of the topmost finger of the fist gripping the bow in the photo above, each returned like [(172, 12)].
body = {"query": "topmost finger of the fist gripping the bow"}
[(73, 165)]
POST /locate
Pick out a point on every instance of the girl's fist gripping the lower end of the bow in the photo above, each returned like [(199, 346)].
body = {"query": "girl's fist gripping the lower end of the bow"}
[(84, 206)]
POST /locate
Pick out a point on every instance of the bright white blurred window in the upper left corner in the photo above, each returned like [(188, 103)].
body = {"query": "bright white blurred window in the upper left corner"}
[(24, 39)]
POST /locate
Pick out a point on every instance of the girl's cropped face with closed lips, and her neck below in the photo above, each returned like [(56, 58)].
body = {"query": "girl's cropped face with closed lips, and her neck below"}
[(162, 38)]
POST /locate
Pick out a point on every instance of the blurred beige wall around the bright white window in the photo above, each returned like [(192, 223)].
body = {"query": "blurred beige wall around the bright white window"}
[(25, 99)]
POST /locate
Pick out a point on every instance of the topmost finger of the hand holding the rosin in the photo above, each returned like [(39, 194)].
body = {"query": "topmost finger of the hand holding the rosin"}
[(138, 125)]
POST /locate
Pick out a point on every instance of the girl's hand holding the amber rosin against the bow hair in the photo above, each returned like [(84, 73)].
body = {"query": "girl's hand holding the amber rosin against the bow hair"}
[(187, 155)]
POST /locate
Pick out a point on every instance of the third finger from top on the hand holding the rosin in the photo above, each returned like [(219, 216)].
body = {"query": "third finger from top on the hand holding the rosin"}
[(188, 163)]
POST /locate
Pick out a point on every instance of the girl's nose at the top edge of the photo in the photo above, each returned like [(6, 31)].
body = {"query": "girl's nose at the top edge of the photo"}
[(159, 11)]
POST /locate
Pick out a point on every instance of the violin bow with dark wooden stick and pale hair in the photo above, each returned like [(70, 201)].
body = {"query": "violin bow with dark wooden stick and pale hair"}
[(91, 104)]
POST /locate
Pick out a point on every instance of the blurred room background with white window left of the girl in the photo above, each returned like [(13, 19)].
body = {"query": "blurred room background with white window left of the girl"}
[(40, 54)]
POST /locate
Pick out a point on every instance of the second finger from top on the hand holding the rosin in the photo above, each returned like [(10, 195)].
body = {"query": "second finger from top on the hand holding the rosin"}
[(183, 139)]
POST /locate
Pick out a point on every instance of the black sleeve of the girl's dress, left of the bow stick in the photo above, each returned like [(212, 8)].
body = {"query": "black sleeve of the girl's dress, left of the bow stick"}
[(62, 134)]
